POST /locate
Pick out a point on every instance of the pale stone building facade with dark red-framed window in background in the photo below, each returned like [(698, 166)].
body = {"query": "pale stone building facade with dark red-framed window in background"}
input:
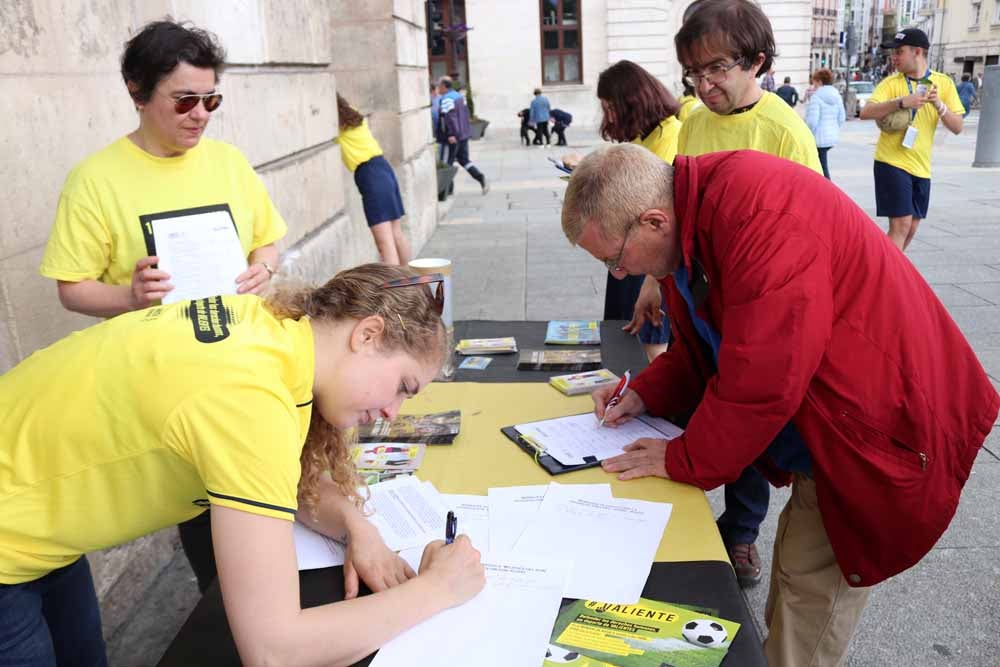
[(510, 49)]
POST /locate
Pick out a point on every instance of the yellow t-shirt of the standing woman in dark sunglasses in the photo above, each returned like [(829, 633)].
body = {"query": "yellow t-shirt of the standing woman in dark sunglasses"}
[(99, 232)]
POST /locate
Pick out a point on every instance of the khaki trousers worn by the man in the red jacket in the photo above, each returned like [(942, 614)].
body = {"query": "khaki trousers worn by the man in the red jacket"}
[(811, 611)]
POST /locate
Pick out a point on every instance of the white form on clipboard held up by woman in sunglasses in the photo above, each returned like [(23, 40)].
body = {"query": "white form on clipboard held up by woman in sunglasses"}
[(201, 252)]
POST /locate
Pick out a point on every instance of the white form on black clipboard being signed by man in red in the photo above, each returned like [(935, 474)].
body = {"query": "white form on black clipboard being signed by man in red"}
[(569, 439)]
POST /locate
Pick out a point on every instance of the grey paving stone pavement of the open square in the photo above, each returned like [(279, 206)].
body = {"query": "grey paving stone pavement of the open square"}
[(512, 262)]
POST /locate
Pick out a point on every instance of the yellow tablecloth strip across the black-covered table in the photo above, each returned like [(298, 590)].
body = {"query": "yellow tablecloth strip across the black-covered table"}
[(482, 457)]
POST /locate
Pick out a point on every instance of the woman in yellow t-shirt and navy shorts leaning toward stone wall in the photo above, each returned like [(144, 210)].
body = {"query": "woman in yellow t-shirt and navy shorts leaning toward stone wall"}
[(376, 182)]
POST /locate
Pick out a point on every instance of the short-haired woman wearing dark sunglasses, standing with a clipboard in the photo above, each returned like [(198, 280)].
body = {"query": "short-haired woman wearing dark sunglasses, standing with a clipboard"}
[(99, 252)]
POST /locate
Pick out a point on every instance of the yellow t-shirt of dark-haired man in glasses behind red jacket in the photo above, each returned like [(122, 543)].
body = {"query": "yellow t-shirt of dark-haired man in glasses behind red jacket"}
[(771, 126)]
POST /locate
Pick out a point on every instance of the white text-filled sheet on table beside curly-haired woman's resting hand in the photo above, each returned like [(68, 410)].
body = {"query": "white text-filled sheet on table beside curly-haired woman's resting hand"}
[(406, 512)]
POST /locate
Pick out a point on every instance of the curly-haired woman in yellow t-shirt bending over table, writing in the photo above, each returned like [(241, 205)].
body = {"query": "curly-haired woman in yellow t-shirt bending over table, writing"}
[(247, 405)]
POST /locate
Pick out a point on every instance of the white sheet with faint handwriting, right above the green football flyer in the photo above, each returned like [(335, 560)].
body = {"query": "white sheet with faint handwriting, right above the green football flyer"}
[(611, 543)]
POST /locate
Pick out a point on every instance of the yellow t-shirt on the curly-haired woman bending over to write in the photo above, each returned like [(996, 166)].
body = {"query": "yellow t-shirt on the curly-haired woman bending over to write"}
[(140, 422)]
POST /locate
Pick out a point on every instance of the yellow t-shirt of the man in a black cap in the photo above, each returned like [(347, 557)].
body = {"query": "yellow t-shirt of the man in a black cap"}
[(917, 160)]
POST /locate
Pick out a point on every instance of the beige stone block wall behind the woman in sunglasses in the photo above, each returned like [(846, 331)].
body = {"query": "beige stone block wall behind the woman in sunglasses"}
[(62, 98)]
